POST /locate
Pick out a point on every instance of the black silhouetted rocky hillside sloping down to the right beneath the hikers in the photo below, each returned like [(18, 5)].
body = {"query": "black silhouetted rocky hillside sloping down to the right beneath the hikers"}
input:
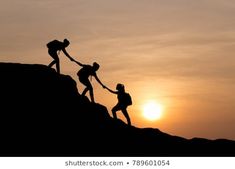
[(43, 114)]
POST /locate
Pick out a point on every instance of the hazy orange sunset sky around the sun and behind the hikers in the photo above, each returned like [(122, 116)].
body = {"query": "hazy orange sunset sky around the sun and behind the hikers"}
[(179, 53)]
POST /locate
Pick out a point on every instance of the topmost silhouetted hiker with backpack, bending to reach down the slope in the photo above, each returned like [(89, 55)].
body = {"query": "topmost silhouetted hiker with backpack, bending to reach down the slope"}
[(54, 47)]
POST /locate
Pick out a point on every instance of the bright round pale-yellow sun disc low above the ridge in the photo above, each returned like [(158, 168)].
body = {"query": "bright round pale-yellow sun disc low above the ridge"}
[(152, 110)]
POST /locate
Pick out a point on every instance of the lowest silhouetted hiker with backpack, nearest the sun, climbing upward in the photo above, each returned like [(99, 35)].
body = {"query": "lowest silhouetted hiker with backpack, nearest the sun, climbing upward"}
[(124, 100)]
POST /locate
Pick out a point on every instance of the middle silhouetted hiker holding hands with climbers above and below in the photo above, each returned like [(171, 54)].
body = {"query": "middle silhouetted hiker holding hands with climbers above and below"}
[(83, 76)]
